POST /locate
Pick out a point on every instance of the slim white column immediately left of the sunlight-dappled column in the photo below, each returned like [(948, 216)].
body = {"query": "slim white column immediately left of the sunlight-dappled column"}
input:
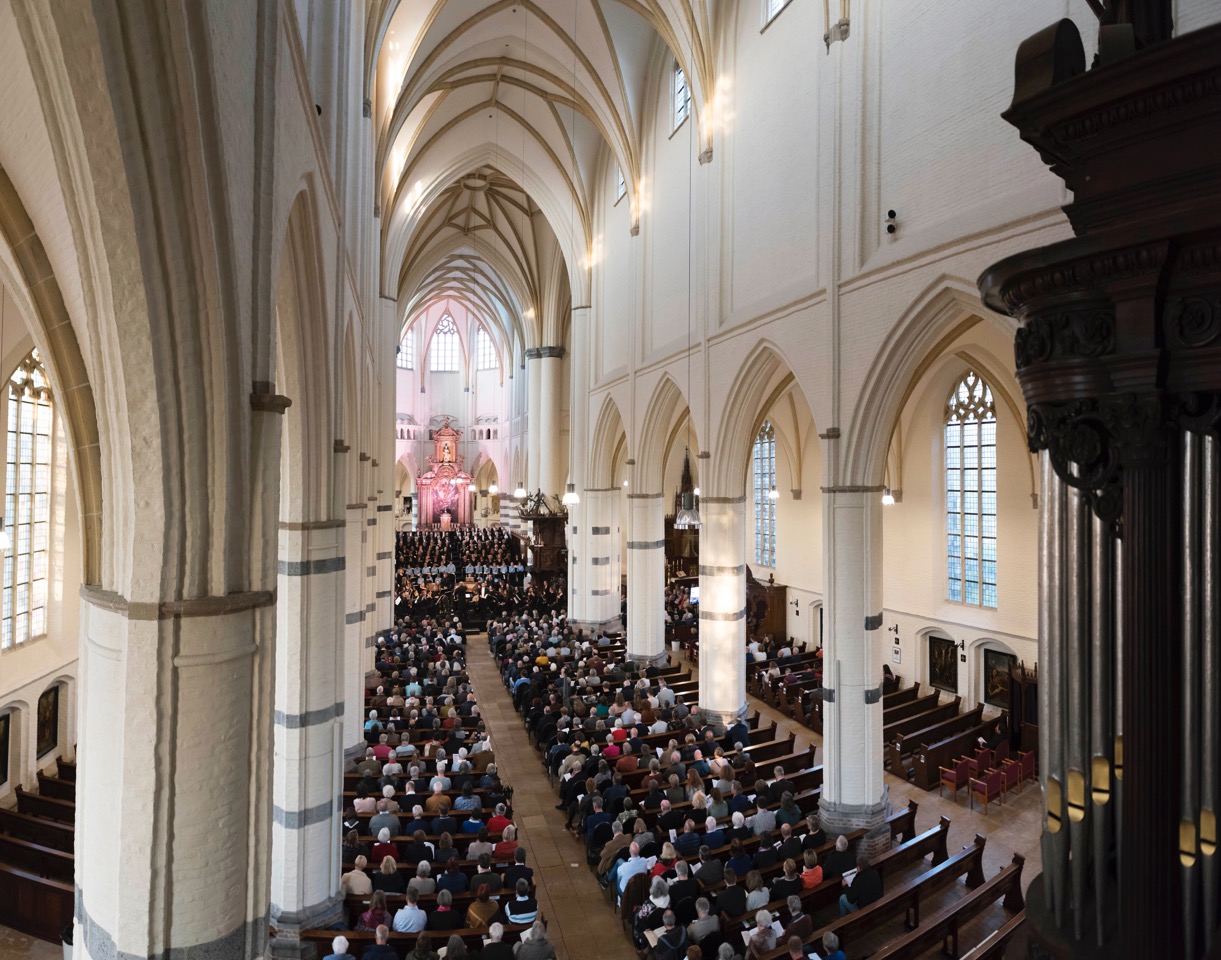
[(647, 576)]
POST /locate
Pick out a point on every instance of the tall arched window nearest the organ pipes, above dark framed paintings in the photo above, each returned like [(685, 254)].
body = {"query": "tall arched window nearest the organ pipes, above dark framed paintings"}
[(971, 493)]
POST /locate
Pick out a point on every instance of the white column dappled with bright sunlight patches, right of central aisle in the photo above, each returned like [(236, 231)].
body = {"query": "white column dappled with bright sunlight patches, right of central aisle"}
[(723, 609)]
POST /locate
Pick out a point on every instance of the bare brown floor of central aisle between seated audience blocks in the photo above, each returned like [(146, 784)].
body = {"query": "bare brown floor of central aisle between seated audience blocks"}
[(579, 919)]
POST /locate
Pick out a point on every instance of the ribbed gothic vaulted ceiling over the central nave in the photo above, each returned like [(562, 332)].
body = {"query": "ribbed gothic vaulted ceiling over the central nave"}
[(494, 123)]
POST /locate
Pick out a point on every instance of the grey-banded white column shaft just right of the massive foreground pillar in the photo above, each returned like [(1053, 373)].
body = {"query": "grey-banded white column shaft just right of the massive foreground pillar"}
[(308, 732)]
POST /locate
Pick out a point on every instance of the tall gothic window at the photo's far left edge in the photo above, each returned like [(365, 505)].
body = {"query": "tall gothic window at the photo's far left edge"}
[(27, 503)]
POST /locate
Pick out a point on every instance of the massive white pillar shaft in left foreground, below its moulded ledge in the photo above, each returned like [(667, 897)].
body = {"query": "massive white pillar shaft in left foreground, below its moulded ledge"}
[(173, 792)]
